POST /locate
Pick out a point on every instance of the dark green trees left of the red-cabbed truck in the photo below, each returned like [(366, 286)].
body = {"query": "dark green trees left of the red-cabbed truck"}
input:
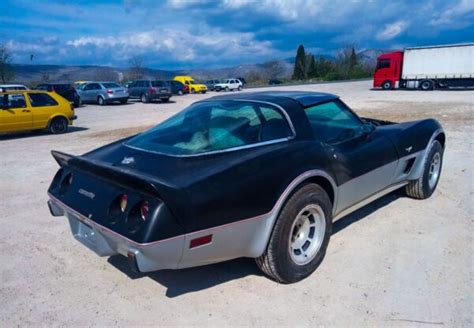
[(346, 66)]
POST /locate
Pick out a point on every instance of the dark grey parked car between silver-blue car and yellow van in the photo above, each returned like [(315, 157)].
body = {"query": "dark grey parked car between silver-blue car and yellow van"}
[(149, 90)]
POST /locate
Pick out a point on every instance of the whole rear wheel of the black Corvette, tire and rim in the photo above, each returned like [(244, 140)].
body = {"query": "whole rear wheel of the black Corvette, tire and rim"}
[(300, 237)]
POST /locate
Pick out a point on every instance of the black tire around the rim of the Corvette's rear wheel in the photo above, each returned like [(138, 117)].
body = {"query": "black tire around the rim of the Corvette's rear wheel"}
[(277, 261)]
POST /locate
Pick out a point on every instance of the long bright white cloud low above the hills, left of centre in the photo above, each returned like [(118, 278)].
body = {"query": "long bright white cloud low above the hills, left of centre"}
[(181, 45)]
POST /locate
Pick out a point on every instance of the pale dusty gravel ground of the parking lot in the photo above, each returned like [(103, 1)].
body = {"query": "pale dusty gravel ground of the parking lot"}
[(396, 262)]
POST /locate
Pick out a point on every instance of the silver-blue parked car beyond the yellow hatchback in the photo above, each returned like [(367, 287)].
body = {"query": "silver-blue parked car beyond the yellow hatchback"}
[(102, 93)]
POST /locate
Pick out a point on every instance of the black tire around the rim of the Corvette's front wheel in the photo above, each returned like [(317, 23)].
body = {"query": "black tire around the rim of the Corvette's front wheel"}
[(424, 187)]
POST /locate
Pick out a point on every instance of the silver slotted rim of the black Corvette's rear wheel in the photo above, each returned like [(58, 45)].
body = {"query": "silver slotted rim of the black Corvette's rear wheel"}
[(307, 234)]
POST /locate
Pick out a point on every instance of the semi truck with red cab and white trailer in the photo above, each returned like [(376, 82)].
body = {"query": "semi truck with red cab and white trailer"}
[(426, 68)]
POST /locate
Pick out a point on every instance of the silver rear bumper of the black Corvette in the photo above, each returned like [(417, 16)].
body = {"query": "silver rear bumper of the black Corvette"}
[(164, 254)]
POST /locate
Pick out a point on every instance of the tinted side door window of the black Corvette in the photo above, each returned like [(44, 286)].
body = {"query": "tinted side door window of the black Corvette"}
[(333, 122)]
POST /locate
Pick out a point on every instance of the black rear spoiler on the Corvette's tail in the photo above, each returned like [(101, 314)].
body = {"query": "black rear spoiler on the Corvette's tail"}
[(112, 174)]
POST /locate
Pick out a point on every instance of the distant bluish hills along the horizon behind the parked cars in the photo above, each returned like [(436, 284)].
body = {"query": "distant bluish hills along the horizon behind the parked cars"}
[(259, 71)]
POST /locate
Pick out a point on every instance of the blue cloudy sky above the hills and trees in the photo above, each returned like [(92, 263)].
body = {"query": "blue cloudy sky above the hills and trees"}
[(196, 33)]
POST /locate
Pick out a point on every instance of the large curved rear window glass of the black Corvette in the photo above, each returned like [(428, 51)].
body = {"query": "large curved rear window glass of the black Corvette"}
[(215, 125)]
